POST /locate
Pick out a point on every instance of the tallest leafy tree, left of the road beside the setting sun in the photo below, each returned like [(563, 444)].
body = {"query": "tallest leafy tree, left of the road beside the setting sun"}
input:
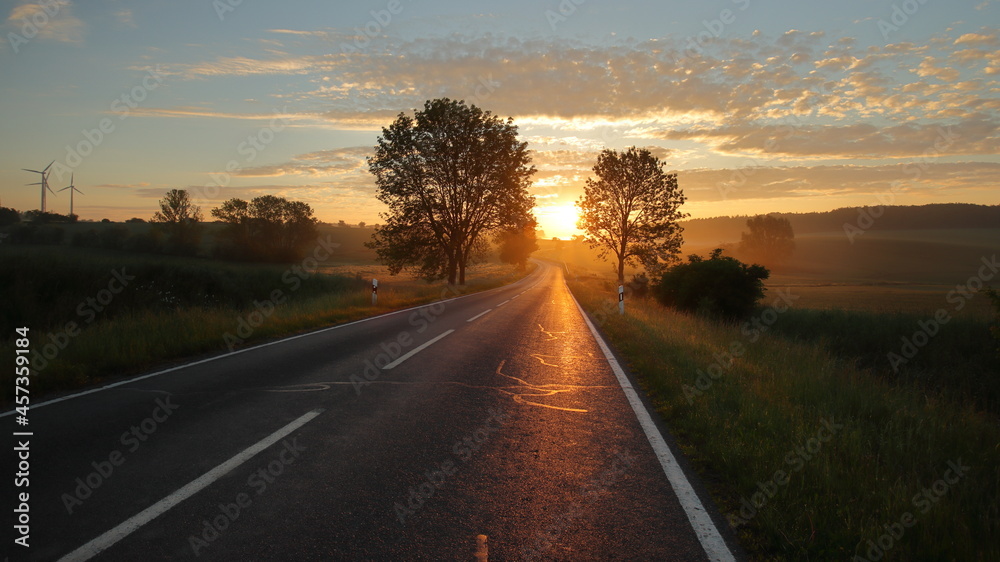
[(452, 174)]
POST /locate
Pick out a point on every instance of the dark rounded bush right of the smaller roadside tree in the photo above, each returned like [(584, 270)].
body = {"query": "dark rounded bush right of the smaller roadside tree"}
[(720, 286)]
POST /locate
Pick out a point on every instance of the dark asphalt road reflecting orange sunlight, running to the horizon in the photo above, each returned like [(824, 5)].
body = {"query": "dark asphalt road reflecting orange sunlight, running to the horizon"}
[(507, 437)]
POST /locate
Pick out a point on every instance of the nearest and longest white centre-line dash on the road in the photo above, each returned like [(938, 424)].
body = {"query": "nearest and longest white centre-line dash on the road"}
[(108, 539)]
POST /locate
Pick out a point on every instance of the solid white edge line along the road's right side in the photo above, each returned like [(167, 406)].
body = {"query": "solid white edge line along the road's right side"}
[(713, 543)]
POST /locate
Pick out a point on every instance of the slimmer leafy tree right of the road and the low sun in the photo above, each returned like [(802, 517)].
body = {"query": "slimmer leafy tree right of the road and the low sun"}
[(631, 210)]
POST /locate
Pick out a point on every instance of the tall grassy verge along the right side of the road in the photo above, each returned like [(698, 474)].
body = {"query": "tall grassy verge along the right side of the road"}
[(764, 412)]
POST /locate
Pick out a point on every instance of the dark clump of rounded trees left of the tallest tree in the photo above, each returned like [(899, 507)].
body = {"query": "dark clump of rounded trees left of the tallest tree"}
[(267, 227)]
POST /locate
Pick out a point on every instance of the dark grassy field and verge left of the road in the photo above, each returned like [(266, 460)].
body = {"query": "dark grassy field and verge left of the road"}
[(98, 315)]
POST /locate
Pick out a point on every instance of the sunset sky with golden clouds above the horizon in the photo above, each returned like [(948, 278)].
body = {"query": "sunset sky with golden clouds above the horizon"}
[(758, 105)]
